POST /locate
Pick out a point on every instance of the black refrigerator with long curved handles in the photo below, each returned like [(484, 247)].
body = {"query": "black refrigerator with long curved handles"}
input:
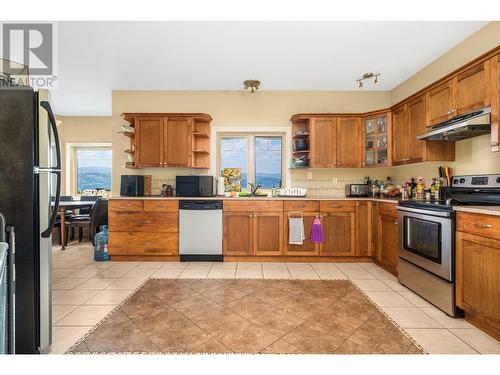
[(30, 184)]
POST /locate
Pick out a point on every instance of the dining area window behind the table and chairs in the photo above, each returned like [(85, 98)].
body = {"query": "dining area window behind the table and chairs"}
[(93, 168)]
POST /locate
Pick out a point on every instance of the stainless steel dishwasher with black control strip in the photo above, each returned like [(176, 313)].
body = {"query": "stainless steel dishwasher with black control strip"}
[(200, 230)]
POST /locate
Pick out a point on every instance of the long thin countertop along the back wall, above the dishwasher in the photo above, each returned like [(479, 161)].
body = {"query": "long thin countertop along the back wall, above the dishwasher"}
[(310, 198)]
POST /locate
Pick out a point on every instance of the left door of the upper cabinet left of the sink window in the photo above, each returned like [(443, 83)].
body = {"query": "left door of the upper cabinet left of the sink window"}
[(149, 144)]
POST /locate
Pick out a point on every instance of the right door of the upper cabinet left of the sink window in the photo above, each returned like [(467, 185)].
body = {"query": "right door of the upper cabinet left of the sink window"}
[(177, 141)]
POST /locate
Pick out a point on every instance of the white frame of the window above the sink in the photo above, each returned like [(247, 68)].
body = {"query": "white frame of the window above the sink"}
[(251, 135)]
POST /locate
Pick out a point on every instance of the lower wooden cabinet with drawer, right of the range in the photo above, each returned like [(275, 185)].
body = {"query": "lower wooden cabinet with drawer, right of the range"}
[(477, 270)]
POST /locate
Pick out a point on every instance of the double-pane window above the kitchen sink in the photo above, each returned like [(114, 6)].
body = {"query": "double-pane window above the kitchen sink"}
[(260, 158)]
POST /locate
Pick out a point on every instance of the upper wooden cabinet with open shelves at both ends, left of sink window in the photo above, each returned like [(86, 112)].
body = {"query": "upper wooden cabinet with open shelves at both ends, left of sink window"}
[(169, 140)]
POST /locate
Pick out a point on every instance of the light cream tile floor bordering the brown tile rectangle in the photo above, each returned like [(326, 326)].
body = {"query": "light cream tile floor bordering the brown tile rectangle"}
[(85, 291)]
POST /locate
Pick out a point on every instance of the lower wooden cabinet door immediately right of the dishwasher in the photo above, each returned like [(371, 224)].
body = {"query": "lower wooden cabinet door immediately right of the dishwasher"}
[(238, 233)]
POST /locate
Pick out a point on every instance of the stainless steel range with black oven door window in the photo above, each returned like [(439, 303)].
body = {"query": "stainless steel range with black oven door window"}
[(427, 238)]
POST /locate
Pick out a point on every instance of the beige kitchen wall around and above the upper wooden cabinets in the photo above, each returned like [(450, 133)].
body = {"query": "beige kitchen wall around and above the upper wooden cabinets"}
[(274, 109)]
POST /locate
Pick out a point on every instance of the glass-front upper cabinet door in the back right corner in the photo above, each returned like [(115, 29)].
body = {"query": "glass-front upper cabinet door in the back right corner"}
[(376, 140)]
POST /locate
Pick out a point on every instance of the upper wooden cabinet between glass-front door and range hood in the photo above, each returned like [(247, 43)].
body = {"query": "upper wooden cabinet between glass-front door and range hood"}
[(408, 122)]
